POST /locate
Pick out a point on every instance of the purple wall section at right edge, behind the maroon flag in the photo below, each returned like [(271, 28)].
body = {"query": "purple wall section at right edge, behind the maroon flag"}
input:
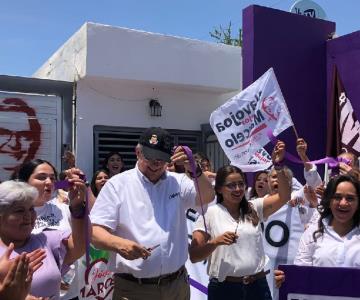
[(344, 51)]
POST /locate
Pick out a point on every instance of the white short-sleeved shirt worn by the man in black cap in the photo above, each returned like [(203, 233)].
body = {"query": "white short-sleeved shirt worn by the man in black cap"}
[(149, 214)]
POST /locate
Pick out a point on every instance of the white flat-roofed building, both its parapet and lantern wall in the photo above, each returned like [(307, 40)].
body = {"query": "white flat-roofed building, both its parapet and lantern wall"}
[(119, 70)]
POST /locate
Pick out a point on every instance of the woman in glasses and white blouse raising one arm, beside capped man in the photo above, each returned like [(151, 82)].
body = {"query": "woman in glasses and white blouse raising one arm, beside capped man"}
[(232, 235)]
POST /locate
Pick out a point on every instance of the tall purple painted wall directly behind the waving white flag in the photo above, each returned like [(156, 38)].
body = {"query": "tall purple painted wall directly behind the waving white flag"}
[(295, 46)]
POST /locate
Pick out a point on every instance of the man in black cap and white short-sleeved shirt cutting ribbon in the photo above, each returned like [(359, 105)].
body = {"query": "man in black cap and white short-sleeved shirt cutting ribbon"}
[(139, 216)]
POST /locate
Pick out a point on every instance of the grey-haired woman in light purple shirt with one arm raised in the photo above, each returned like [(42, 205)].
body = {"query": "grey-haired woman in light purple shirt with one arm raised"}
[(17, 219)]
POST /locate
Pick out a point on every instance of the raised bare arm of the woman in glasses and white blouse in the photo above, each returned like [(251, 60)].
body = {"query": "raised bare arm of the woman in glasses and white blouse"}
[(273, 202)]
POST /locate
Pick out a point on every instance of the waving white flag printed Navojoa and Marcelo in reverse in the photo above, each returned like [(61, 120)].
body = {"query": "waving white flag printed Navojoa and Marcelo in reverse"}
[(241, 124)]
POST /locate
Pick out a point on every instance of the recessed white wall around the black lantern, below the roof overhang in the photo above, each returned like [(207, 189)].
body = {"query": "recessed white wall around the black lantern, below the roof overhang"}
[(127, 104)]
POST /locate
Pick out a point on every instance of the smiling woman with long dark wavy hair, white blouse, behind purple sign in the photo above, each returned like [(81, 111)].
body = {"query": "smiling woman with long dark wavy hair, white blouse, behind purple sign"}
[(335, 240)]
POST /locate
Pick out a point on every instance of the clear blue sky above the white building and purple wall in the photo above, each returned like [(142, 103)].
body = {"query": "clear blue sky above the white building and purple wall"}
[(32, 30)]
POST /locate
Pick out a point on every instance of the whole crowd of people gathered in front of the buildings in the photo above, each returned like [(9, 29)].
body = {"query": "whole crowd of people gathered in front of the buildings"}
[(139, 217)]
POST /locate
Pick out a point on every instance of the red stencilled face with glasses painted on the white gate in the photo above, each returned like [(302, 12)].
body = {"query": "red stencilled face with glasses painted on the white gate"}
[(19, 135)]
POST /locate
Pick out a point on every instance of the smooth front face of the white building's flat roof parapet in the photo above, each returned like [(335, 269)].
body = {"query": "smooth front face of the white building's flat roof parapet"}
[(121, 53)]
